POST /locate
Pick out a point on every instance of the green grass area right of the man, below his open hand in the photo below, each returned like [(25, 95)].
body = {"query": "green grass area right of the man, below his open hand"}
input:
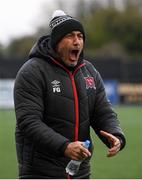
[(127, 164)]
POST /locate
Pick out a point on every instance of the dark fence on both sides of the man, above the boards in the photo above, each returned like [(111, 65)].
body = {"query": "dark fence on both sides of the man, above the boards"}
[(112, 68)]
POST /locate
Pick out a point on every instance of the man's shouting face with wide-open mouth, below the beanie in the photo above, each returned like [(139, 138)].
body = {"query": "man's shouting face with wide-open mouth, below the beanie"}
[(70, 47)]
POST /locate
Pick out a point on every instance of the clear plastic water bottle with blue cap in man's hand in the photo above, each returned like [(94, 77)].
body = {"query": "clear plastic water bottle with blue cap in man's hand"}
[(73, 166)]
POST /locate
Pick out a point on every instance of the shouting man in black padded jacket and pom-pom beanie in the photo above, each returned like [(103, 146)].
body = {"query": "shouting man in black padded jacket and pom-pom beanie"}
[(58, 96)]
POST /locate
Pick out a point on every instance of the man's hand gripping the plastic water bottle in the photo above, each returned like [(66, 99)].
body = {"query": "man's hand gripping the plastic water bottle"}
[(76, 151)]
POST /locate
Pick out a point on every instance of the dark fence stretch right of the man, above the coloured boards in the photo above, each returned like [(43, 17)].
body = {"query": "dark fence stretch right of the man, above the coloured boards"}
[(124, 71)]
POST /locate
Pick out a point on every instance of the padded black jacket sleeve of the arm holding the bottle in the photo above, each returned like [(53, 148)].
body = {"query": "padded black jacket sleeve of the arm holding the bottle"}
[(29, 109)]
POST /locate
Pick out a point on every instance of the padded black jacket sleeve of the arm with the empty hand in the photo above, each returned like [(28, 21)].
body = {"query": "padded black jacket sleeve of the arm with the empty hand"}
[(104, 116)]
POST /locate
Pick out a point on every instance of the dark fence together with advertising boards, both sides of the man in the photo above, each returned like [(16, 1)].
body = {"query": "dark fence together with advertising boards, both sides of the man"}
[(123, 80)]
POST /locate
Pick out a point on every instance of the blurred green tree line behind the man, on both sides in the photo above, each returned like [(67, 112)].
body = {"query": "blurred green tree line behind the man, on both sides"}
[(109, 32)]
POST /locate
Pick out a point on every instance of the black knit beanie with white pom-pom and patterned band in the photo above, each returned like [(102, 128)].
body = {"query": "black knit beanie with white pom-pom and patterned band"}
[(62, 24)]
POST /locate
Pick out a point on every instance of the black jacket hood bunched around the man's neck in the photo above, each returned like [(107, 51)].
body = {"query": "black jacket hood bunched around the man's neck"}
[(42, 49)]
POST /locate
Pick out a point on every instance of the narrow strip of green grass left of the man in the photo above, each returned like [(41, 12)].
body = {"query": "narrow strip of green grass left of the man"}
[(8, 161)]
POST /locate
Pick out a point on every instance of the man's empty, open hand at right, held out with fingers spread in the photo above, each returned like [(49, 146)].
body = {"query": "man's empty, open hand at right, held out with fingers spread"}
[(114, 142)]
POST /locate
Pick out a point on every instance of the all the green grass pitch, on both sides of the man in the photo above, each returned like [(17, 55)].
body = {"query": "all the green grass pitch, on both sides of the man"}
[(126, 165)]
